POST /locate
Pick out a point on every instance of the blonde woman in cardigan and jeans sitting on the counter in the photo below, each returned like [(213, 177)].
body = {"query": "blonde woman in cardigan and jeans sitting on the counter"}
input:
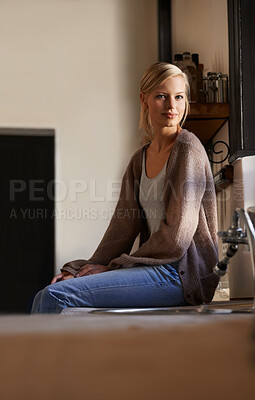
[(167, 196)]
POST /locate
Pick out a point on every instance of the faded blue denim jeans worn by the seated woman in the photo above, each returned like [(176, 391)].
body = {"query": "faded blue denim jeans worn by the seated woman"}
[(144, 286)]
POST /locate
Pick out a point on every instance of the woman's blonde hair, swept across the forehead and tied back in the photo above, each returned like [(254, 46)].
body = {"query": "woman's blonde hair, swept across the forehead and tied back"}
[(152, 78)]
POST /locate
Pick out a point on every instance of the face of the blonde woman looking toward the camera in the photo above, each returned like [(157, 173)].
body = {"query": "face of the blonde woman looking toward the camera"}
[(166, 104)]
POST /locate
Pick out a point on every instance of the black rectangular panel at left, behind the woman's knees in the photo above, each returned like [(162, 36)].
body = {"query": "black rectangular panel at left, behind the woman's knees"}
[(26, 217)]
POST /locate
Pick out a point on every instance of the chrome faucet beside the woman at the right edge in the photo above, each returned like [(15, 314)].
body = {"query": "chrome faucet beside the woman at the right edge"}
[(234, 236)]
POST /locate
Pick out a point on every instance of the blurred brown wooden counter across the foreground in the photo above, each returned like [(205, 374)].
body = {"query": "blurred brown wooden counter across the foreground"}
[(92, 356)]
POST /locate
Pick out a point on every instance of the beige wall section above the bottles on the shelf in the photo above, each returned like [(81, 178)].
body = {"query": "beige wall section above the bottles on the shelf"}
[(200, 26)]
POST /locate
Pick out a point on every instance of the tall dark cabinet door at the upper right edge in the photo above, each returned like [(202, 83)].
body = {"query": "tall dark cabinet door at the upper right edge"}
[(241, 17)]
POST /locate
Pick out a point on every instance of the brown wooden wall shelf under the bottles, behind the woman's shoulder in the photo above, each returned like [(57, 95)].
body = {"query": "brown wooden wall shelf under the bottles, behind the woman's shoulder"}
[(206, 119)]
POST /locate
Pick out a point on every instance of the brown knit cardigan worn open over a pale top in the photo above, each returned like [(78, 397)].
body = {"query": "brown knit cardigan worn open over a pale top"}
[(189, 232)]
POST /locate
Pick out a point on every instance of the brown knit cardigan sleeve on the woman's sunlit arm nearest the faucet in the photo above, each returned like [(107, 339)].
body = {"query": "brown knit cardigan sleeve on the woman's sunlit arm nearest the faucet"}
[(185, 191)]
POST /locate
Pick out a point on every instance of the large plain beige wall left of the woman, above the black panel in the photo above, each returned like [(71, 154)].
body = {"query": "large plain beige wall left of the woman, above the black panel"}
[(75, 66)]
